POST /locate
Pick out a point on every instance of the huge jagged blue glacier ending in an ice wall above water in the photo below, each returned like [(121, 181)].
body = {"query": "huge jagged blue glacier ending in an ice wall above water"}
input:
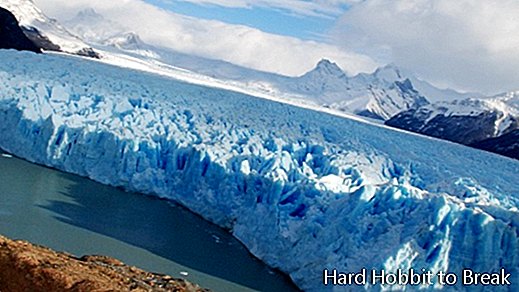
[(303, 190)]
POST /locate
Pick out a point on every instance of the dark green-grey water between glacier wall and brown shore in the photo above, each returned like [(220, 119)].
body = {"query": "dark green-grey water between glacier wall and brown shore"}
[(76, 215)]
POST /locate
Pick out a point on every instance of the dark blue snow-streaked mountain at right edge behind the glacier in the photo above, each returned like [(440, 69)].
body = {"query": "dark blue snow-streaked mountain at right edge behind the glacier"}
[(466, 121)]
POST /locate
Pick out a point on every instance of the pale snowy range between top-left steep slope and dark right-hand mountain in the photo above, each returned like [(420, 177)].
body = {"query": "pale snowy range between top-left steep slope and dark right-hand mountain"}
[(380, 95)]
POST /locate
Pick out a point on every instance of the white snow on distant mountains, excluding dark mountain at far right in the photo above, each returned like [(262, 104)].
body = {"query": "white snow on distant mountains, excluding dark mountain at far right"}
[(376, 95)]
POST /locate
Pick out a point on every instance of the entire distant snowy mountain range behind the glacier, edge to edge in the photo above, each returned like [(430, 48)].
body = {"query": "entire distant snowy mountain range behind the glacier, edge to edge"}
[(390, 94)]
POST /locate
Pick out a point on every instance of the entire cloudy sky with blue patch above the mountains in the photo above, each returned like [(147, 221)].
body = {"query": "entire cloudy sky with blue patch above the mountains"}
[(469, 45)]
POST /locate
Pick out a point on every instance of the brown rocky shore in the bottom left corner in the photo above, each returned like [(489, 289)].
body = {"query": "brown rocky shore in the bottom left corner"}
[(27, 267)]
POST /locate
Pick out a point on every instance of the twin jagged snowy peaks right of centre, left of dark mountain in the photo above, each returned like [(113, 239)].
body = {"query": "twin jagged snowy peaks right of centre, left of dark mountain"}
[(379, 95)]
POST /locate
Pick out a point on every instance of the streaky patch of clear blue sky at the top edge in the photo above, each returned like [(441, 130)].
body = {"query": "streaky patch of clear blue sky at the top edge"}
[(268, 19)]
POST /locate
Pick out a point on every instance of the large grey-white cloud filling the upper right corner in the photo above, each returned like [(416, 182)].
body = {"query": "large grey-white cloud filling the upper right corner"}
[(466, 44)]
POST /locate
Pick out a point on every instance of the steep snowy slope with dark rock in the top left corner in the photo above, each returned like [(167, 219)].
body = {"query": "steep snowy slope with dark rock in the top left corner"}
[(46, 33)]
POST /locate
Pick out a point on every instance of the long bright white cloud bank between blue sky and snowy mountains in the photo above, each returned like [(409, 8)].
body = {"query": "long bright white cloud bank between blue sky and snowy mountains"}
[(233, 43)]
